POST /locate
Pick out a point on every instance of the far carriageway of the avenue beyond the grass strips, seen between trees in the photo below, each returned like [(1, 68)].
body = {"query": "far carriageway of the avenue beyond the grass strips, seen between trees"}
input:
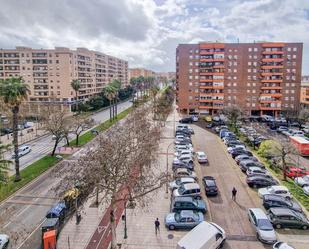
[(42, 146)]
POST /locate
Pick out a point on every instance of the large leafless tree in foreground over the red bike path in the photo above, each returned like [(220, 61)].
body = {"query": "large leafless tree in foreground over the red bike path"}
[(121, 168)]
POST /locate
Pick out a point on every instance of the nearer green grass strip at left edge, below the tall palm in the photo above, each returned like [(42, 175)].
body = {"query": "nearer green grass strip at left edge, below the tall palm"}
[(27, 175)]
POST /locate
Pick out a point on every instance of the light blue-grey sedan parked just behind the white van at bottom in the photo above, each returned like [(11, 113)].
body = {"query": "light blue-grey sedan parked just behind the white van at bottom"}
[(185, 219)]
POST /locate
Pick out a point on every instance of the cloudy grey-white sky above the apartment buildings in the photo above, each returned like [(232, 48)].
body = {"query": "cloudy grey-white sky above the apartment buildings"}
[(146, 32)]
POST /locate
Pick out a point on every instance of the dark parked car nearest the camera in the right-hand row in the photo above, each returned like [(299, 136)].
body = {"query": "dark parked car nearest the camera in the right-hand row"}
[(287, 218)]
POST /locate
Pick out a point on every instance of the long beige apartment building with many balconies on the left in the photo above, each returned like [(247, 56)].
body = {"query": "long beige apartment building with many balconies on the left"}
[(49, 72)]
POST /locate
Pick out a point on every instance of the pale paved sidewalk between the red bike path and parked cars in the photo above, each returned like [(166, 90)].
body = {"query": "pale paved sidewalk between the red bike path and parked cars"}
[(140, 221)]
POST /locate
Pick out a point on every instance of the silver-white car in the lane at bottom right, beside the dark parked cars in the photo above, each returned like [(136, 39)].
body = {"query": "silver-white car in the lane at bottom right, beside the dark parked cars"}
[(260, 222)]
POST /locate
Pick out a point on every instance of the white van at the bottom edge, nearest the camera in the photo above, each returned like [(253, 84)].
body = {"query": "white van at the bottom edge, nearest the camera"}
[(206, 235)]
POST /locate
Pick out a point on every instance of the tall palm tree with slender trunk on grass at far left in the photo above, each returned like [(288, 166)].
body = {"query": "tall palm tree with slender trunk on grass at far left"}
[(13, 91)]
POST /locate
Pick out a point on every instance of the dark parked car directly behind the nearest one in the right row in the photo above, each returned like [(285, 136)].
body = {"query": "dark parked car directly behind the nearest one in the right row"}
[(270, 201)]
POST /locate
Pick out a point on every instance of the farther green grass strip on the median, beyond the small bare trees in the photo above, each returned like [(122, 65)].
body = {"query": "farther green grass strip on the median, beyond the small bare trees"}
[(88, 136)]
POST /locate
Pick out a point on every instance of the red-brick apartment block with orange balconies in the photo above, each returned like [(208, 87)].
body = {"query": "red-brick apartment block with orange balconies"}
[(261, 78)]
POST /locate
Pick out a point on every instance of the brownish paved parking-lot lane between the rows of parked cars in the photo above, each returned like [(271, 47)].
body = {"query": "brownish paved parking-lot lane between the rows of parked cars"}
[(228, 214)]
